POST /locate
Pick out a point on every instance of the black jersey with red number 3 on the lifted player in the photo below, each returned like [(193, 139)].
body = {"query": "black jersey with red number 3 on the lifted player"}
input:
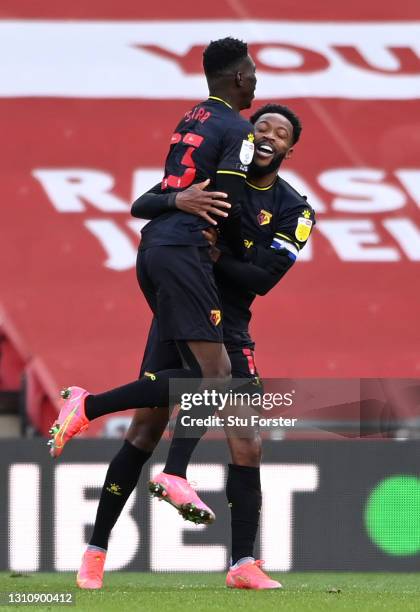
[(212, 138)]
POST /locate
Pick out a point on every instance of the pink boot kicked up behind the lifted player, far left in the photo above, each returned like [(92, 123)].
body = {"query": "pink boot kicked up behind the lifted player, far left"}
[(71, 420)]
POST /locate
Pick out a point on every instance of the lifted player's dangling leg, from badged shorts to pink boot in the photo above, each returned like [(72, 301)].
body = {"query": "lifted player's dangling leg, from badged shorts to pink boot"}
[(199, 340)]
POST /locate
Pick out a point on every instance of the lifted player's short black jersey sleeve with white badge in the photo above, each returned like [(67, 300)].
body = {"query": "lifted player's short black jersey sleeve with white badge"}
[(237, 150)]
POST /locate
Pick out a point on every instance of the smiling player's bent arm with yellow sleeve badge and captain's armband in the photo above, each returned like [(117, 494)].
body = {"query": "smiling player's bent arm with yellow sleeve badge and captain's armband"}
[(269, 265)]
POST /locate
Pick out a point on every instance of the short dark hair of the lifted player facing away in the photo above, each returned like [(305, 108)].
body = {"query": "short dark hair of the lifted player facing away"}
[(223, 53)]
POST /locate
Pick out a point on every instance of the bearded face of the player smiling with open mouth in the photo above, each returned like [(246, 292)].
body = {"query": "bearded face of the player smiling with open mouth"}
[(273, 140)]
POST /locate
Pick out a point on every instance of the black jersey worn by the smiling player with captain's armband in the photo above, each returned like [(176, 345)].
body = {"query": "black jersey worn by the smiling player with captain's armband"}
[(277, 217)]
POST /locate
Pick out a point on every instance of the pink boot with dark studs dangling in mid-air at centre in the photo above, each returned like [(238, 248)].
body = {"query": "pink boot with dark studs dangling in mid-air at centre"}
[(178, 492)]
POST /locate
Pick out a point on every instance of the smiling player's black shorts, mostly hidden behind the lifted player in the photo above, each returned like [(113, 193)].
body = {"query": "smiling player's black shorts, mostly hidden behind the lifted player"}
[(160, 355)]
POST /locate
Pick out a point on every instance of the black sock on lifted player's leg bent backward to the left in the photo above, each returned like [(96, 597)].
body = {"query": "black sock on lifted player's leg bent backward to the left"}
[(149, 391)]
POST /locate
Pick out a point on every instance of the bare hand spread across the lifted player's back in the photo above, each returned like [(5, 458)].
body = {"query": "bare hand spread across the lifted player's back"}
[(196, 201)]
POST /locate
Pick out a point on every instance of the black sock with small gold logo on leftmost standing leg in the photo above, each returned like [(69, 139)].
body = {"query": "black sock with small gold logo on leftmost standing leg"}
[(121, 479)]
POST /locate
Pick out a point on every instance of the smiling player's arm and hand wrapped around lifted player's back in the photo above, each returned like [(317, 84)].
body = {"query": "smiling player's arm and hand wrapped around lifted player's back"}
[(193, 200)]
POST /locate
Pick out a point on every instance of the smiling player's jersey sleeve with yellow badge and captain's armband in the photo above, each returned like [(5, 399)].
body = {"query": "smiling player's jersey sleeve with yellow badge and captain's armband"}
[(293, 231)]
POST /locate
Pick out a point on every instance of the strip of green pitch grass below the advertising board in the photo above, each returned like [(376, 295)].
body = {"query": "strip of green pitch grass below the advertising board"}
[(314, 592)]
